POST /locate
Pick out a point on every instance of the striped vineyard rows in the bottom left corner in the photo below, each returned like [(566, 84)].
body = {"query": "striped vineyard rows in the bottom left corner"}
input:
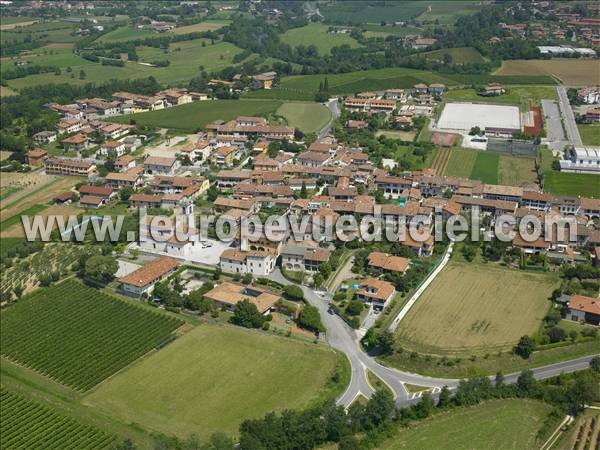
[(29, 424)]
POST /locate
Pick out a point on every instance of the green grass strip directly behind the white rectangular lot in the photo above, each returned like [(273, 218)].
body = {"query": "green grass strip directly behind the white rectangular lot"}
[(515, 95)]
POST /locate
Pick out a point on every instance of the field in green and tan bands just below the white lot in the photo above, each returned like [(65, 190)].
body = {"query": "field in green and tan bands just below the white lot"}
[(494, 168)]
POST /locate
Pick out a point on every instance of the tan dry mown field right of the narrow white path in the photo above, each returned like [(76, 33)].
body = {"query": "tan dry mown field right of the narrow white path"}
[(476, 308)]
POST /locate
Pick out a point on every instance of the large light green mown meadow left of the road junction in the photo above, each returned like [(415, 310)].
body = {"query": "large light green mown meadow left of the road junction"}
[(213, 378)]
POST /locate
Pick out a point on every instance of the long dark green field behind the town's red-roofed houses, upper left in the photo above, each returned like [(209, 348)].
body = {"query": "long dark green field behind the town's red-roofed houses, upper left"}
[(195, 116)]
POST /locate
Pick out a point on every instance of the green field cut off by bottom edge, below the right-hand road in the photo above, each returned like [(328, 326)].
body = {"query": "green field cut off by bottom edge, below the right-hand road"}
[(496, 424)]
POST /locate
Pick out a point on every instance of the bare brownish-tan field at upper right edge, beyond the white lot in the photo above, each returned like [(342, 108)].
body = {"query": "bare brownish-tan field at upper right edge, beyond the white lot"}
[(573, 72)]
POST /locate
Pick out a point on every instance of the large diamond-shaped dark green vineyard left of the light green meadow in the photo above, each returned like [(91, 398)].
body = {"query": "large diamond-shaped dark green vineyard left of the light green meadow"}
[(78, 335)]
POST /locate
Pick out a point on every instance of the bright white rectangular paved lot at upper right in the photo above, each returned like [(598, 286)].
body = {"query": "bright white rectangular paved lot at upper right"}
[(464, 116)]
